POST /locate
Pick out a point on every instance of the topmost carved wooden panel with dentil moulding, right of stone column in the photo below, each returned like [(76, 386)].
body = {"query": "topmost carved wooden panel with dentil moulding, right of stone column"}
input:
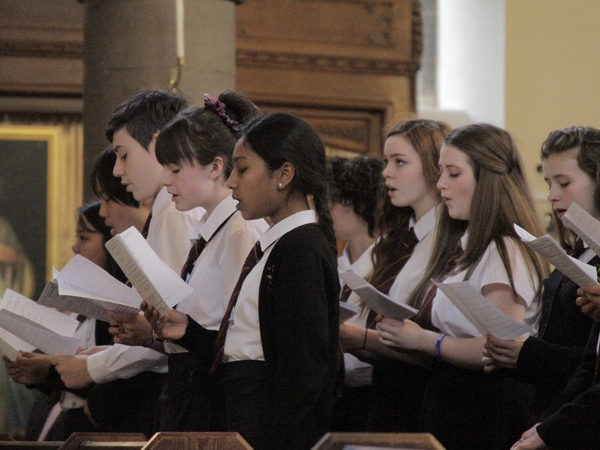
[(373, 36)]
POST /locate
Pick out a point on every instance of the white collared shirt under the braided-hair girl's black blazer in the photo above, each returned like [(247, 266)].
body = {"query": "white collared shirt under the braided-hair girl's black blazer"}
[(243, 336)]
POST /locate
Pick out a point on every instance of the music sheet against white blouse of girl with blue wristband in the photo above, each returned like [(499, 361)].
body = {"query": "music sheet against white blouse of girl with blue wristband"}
[(484, 316)]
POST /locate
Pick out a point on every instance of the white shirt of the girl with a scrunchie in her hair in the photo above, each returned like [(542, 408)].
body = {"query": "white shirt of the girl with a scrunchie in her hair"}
[(217, 269)]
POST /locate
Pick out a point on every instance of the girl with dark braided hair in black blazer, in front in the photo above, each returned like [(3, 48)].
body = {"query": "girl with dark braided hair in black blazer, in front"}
[(275, 357)]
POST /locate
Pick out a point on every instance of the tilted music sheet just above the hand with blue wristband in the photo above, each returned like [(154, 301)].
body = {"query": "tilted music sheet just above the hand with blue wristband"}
[(377, 301)]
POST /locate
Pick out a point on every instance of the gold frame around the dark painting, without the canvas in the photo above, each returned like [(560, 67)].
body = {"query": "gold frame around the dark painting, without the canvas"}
[(64, 193)]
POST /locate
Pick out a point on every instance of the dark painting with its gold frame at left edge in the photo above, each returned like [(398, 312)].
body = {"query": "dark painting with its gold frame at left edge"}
[(40, 191)]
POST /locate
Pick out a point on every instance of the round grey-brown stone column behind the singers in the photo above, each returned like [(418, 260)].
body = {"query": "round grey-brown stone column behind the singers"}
[(131, 45)]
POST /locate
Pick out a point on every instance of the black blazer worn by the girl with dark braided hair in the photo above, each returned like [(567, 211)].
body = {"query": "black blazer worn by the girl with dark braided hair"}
[(299, 326)]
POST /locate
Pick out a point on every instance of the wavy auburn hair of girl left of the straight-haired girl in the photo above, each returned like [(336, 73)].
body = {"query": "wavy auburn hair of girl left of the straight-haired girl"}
[(426, 137)]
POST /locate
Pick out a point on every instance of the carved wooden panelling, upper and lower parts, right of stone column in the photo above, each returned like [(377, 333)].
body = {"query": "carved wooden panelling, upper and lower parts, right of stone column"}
[(346, 66)]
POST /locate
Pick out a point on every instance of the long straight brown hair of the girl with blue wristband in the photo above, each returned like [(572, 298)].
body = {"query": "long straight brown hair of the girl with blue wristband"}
[(501, 198)]
